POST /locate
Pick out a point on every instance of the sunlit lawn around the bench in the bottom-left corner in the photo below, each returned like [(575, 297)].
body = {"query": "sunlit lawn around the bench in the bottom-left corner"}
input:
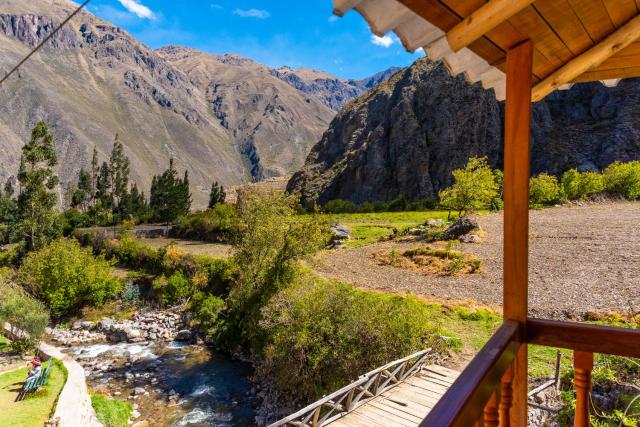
[(37, 407)]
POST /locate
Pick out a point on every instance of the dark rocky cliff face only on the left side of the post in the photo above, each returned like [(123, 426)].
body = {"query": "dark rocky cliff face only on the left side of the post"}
[(404, 137)]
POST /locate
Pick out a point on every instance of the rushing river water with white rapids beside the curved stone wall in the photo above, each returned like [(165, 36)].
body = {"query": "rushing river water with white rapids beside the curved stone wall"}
[(188, 385)]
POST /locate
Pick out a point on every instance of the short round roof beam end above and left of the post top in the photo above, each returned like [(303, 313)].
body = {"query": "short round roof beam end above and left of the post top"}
[(483, 20)]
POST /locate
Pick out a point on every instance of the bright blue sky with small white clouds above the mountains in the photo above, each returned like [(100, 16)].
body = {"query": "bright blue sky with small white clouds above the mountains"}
[(274, 32)]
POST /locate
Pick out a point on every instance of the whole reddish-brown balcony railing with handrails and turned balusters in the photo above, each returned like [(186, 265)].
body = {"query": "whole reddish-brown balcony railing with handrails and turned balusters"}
[(481, 396)]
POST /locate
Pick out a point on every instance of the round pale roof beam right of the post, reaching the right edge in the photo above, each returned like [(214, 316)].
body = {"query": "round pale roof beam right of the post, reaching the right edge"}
[(593, 57)]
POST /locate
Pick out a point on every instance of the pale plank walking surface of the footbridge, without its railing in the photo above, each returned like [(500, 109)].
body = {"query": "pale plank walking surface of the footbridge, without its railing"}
[(404, 405)]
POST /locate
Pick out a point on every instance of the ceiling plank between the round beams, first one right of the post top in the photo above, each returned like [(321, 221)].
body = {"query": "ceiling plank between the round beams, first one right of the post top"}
[(530, 22)]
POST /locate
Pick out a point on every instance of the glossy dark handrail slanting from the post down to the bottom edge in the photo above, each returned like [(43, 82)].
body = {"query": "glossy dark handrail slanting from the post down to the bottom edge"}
[(462, 405)]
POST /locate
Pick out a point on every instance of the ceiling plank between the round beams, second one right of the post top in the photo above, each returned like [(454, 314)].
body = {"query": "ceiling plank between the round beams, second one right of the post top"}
[(565, 23)]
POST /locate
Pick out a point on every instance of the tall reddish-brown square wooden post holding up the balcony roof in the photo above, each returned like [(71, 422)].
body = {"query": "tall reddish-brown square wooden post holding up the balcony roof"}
[(517, 138)]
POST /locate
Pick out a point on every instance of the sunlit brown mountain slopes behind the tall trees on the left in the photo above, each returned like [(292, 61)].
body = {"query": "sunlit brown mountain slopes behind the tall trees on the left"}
[(221, 117)]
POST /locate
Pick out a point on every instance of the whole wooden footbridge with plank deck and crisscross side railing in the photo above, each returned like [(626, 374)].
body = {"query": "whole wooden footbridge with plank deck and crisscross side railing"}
[(400, 393)]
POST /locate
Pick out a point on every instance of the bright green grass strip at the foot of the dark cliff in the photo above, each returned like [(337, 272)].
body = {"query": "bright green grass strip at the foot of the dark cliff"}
[(367, 228)]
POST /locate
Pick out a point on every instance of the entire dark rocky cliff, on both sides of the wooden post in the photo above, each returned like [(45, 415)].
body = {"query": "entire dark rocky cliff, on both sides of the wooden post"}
[(408, 134)]
